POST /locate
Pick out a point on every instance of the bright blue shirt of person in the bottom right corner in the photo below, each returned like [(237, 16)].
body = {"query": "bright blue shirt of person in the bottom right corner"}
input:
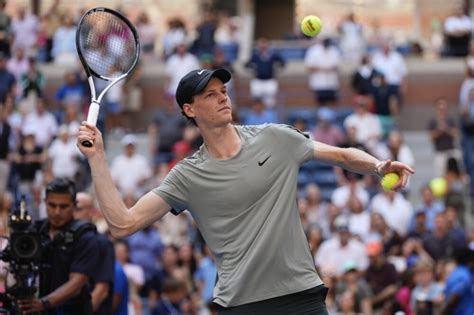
[(460, 282)]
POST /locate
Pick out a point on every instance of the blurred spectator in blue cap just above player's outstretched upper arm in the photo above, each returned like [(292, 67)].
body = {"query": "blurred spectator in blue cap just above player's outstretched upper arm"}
[(326, 130)]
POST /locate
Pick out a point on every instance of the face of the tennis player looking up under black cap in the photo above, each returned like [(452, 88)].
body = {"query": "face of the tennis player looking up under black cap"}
[(212, 107)]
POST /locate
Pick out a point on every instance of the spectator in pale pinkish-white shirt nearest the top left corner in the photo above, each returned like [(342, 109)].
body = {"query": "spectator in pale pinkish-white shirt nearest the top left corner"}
[(25, 28)]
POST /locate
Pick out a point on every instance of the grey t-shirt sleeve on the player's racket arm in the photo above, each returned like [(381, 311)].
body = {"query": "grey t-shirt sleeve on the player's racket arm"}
[(173, 189)]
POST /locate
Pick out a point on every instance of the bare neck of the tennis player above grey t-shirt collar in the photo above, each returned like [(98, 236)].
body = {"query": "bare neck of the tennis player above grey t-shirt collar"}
[(222, 143)]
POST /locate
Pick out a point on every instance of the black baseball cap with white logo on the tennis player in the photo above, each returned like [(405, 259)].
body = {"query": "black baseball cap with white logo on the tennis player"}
[(195, 81)]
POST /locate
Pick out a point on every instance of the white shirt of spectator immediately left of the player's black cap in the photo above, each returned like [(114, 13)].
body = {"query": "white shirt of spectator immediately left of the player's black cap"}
[(177, 67)]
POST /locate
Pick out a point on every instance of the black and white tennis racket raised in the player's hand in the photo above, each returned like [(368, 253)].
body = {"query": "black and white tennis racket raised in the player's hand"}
[(108, 47)]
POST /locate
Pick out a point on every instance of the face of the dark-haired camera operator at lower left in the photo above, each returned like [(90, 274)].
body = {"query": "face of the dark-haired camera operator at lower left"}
[(60, 209)]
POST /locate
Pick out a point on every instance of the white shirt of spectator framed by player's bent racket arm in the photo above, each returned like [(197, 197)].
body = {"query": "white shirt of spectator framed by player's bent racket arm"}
[(128, 172)]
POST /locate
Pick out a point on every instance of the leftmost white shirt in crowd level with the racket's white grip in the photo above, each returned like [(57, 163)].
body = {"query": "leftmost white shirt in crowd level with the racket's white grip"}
[(44, 127)]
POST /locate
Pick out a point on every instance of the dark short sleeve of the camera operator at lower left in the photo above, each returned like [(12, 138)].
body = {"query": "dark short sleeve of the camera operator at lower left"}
[(86, 255)]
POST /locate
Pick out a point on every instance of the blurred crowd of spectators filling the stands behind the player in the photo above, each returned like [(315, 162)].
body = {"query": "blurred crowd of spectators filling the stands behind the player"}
[(376, 251)]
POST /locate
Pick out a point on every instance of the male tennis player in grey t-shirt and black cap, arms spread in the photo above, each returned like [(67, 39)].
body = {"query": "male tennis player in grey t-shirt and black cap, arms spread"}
[(240, 187)]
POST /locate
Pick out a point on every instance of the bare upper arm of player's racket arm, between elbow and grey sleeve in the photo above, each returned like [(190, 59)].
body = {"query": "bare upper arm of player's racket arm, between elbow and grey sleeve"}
[(148, 209)]
